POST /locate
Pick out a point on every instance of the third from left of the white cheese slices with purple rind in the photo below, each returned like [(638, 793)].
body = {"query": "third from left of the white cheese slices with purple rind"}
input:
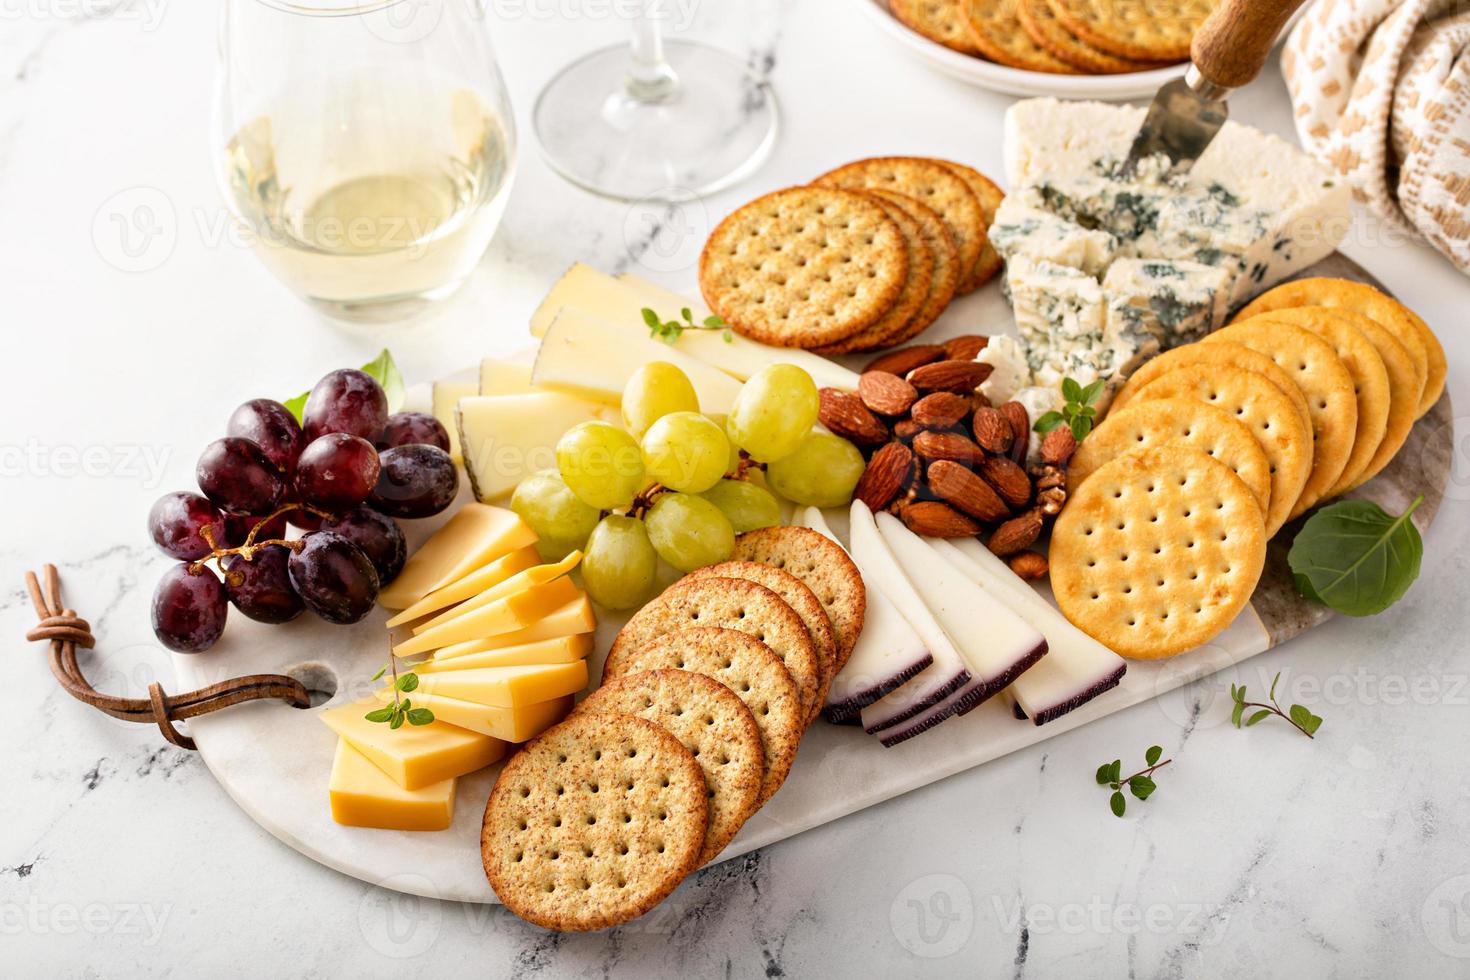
[(997, 644)]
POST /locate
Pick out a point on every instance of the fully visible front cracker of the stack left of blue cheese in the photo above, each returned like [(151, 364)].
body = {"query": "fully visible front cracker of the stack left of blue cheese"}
[(805, 267)]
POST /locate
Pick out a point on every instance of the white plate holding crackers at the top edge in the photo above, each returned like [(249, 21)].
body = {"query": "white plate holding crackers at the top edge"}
[(1012, 82)]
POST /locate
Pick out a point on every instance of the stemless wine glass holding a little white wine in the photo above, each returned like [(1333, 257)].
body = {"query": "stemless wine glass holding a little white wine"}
[(367, 145)]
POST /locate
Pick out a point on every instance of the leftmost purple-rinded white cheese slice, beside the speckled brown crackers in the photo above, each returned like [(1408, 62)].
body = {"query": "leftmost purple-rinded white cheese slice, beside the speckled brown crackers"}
[(889, 653)]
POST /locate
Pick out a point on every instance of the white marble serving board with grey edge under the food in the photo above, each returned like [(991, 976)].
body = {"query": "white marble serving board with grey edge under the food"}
[(276, 760)]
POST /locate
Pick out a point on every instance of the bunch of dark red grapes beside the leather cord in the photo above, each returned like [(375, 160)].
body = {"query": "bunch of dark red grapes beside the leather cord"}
[(342, 475)]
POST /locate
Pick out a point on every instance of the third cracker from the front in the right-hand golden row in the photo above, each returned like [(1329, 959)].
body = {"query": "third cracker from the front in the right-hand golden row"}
[(1265, 411)]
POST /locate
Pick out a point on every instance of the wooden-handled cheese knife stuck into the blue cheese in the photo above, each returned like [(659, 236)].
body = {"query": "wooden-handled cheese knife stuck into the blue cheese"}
[(1230, 51)]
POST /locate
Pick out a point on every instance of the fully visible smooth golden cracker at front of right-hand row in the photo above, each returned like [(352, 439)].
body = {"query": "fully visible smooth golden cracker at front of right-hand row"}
[(1158, 553)]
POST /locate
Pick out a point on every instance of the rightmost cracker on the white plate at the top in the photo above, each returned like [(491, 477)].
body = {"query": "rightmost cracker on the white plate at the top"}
[(1141, 30)]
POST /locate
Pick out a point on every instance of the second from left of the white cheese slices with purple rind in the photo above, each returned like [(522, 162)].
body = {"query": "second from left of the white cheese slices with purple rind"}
[(947, 674)]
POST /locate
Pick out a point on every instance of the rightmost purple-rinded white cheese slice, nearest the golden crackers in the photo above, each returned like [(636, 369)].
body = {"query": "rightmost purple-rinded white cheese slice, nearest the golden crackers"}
[(1077, 668)]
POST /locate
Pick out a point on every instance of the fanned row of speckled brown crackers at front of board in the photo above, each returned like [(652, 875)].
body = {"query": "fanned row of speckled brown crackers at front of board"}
[(706, 696)]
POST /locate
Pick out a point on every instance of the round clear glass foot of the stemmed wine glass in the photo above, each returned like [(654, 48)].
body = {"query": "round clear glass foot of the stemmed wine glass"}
[(714, 131)]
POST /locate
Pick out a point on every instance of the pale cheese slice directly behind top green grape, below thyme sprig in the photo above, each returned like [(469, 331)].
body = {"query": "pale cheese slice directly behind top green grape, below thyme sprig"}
[(586, 356)]
